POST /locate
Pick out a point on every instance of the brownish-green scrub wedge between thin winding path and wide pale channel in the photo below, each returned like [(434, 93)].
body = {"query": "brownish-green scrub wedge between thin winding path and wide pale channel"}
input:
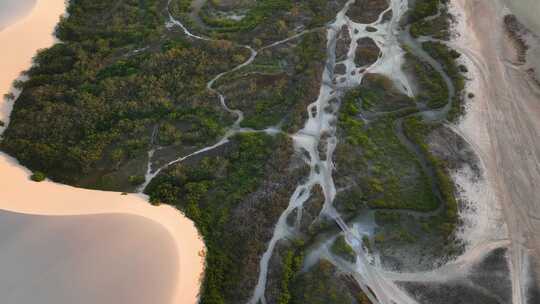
[(280, 96)]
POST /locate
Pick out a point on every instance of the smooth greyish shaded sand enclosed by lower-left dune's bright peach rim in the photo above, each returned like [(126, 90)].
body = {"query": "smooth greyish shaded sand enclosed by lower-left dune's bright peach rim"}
[(85, 259)]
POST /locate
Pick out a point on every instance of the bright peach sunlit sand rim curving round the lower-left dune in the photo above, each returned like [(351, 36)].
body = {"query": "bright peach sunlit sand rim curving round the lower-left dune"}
[(19, 194)]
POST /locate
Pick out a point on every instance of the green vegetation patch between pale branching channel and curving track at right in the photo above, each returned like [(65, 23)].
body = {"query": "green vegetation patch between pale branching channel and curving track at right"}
[(388, 174)]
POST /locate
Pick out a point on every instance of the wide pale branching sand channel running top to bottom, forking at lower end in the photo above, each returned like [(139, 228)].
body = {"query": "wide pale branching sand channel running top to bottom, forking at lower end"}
[(322, 122)]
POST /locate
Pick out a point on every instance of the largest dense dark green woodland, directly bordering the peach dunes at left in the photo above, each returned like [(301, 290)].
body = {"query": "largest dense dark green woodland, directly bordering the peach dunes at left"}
[(90, 104)]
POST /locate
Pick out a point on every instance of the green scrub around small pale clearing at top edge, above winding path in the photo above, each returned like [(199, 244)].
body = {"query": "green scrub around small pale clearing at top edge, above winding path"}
[(255, 22)]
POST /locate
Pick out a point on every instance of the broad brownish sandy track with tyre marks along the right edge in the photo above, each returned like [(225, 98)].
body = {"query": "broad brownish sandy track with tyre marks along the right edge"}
[(507, 107)]
